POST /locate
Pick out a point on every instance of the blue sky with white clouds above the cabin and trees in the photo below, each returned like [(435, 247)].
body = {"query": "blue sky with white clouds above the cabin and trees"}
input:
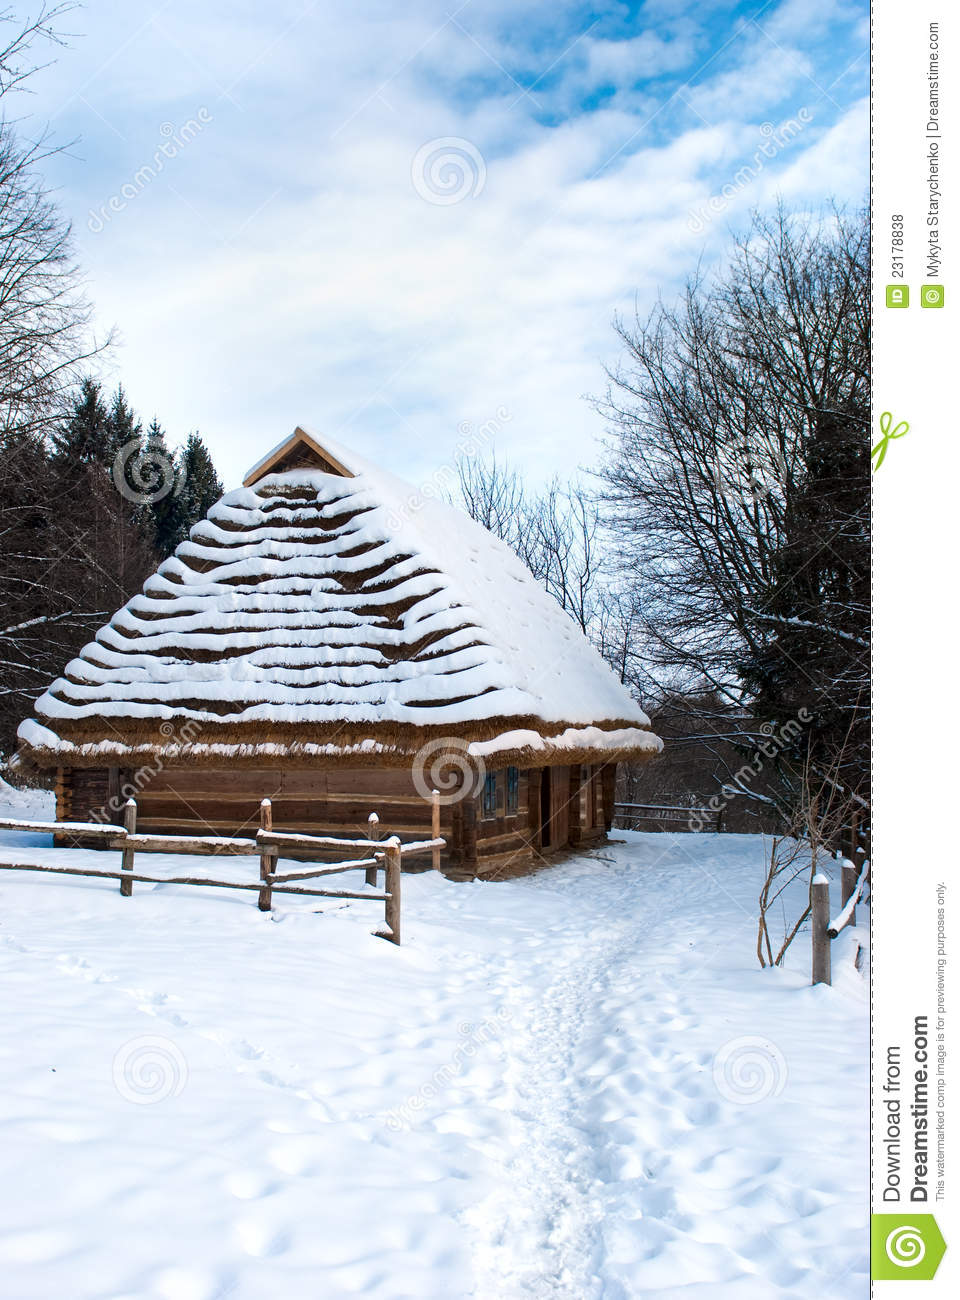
[(265, 214)]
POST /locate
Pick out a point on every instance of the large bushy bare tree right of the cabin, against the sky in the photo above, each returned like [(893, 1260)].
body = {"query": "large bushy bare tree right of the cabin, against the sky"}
[(738, 482)]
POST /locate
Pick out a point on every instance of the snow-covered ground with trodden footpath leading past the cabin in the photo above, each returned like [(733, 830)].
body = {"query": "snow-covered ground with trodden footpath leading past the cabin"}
[(577, 1085)]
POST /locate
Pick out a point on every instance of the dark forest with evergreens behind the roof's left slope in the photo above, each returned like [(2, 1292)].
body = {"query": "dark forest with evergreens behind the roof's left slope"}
[(90, 504)]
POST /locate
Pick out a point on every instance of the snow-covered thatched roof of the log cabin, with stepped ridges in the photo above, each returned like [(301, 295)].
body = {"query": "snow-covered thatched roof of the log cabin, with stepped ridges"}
[(325, 613)]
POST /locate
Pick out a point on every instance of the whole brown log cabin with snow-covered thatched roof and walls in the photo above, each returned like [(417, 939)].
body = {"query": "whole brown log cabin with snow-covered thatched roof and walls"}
[(343, 644)]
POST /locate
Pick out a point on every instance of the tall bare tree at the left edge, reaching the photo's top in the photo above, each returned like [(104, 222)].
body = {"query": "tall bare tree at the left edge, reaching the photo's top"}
[(67, 557)]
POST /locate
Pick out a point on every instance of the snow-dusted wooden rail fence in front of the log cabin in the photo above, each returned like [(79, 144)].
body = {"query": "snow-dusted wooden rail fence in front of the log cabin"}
[(270, 844)]
